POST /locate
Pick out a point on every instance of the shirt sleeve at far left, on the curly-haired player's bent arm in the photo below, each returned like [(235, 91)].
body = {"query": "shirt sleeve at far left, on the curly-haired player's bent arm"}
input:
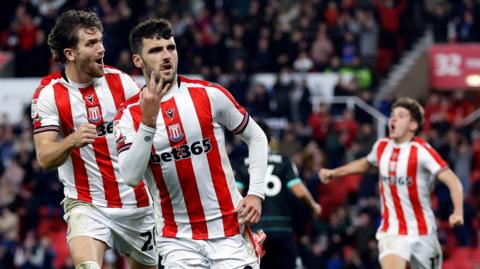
[(44, 112)]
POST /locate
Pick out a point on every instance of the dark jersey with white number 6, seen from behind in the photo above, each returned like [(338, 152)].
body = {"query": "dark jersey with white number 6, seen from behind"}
[(281, 176)]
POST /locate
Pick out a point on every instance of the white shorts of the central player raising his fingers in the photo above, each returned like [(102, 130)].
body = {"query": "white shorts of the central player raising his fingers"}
[(229, 252)]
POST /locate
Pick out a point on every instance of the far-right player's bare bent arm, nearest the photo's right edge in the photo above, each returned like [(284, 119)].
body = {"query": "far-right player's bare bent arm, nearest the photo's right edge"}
[(456, 193)]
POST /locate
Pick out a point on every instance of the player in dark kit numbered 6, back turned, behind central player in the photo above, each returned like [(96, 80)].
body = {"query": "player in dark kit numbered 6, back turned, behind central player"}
[(282, 177)]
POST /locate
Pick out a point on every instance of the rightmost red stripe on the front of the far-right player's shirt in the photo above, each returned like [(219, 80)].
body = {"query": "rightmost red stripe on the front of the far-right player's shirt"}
[(413, 191)]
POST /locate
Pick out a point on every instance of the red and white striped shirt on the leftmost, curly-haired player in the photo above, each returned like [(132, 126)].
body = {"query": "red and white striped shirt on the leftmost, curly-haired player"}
[(90, 173)]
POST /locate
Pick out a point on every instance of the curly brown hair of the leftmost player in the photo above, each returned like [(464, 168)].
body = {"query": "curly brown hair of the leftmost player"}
[(65, 32)]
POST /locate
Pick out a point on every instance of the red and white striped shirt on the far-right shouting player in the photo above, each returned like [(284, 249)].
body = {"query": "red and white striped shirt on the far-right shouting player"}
[(406, 172)]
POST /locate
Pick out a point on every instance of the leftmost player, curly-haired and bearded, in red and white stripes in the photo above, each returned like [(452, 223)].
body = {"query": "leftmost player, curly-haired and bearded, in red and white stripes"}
[(79, 103)]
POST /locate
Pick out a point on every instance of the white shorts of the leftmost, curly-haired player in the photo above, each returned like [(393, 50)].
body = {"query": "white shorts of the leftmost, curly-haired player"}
[(130, 230)]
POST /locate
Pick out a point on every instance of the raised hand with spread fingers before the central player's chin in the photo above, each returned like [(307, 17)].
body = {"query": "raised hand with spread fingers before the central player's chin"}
[(150, 99)]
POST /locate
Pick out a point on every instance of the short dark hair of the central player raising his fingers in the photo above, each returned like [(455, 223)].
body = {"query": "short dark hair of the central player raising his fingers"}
[(152, 28)]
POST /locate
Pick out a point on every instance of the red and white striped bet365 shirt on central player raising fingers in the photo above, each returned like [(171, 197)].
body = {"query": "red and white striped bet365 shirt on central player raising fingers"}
[(189, 174)]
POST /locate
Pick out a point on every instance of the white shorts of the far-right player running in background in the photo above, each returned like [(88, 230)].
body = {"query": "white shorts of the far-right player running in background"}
[(422, 252)]
